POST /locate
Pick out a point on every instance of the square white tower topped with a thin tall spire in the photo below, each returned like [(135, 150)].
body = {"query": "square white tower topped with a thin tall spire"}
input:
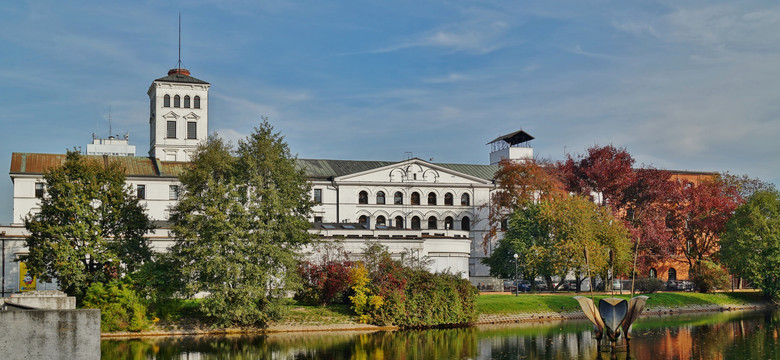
[(178, 113)]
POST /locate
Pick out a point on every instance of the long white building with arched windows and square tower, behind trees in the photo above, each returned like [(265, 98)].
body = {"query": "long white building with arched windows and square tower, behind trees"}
[(412, 206)]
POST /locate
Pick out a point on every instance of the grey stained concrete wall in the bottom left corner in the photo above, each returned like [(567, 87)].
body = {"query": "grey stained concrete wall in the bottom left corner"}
[(50, 334)]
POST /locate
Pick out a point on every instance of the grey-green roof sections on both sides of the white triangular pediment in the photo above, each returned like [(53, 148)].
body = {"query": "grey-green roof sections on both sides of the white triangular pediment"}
[(324, 169)]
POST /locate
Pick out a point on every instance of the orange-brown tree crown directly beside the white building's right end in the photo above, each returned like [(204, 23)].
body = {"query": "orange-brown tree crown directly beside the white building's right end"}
[(518, 183)]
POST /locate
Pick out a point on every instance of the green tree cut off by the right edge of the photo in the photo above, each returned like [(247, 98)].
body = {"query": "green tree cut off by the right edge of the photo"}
[(750, 246)]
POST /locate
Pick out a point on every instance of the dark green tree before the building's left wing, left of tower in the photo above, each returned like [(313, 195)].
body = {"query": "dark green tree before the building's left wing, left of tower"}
[(90, 227)]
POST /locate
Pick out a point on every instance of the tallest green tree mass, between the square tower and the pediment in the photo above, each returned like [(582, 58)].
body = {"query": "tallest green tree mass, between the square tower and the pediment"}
[(239, 224)]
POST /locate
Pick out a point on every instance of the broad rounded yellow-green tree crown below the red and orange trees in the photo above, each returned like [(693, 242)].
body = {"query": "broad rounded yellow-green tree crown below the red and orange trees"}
[(550, 238)]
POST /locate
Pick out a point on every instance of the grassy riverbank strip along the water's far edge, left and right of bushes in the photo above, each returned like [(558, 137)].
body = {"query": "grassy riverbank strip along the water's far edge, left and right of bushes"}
[(493, 308)]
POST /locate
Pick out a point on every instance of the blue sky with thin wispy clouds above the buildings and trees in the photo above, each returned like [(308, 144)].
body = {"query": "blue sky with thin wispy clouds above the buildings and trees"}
[(685, 85)]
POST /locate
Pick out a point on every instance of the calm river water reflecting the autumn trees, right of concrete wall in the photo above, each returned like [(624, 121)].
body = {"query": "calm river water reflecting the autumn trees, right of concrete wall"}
[(720, 336)]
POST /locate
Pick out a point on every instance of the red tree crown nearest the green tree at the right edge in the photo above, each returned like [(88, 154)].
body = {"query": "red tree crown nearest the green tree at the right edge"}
[(699, 216)]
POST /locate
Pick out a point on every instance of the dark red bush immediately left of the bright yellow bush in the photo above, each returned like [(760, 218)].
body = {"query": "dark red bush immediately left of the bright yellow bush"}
[(326, 280)]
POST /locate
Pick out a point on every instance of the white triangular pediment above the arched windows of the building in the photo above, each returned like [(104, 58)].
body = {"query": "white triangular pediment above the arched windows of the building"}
[(412, 171)]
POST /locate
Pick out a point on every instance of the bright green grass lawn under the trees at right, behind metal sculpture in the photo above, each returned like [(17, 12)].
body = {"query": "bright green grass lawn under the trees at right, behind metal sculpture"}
[(529, 303)]
